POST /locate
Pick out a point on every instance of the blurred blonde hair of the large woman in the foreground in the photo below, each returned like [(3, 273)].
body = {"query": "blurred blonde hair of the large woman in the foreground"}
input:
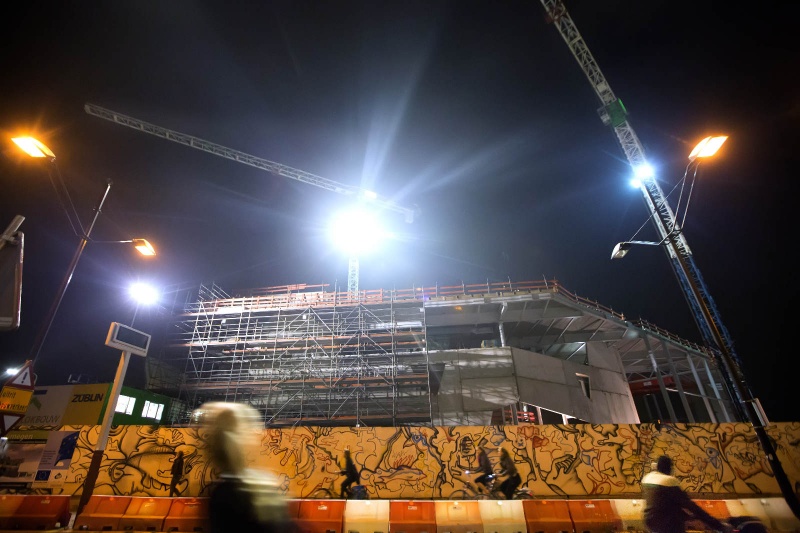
[(229, 429)]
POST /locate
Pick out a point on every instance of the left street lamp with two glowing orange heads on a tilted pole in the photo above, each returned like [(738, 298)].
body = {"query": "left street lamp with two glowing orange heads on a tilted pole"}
[(37, 149)]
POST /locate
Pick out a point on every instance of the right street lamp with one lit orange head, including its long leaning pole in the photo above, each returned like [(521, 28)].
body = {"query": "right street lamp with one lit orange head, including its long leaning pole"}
[(731, 370)]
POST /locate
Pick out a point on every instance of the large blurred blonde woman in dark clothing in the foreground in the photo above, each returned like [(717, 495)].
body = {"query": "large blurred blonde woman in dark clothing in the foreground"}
[(242, 499)]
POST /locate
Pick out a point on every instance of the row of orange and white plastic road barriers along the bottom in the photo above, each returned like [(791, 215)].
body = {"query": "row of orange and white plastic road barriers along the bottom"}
[(182, 514)]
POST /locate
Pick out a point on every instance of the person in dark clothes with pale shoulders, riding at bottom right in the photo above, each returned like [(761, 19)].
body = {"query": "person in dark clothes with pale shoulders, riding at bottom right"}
[(667, 507)]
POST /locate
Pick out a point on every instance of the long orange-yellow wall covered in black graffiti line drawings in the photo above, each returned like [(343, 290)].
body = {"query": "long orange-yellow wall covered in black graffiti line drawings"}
[(435, 462)]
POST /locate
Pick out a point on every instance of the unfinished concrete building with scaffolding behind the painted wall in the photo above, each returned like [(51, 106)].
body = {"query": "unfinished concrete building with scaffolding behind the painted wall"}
[(492, 353)]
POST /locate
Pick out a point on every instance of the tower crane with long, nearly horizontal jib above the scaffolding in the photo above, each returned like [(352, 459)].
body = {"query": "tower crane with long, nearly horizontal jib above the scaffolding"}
[(276, 168)]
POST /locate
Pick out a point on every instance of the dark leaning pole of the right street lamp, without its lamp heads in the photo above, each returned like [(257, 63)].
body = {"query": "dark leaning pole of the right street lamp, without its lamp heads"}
[(734, 376)]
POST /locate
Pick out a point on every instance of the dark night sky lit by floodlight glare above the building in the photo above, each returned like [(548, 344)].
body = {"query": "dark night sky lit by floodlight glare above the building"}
[(474, 111)]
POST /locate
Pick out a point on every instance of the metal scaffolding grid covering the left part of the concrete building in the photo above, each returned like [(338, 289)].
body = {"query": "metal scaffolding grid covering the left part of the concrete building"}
[(304, 354)]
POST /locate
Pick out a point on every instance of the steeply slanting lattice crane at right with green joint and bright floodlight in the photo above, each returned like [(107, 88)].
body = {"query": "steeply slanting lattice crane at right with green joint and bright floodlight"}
[(613, 114)]
